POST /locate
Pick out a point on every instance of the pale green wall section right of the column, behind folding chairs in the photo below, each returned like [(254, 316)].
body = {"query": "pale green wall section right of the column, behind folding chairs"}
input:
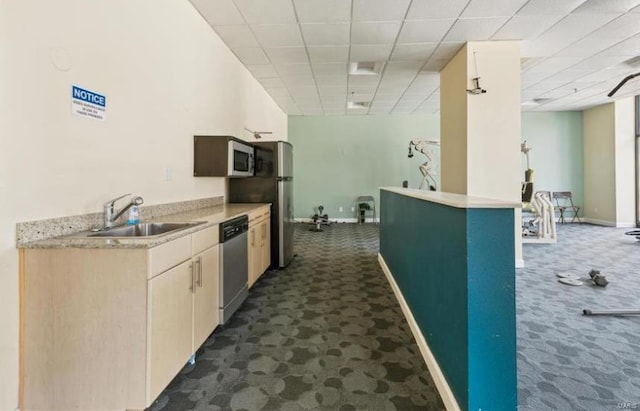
[(555, 139)]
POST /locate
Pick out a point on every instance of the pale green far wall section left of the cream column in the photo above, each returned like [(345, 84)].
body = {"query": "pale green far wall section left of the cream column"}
[(338, 158)]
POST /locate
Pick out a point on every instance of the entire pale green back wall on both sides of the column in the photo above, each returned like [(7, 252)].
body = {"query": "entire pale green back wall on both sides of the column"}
[(338, 158)]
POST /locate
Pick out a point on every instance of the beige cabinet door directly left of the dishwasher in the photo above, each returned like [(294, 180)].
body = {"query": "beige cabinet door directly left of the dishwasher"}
[(206, 315)]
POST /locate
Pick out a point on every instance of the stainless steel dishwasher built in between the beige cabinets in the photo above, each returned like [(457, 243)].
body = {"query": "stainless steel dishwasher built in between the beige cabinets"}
[(234, 271)]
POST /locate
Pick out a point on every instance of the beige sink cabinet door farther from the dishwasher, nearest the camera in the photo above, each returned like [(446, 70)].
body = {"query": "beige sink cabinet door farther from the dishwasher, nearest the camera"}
[(170, 317)]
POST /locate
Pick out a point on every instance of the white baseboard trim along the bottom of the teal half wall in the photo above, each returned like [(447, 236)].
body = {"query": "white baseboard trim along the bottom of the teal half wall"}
[(442, 386)]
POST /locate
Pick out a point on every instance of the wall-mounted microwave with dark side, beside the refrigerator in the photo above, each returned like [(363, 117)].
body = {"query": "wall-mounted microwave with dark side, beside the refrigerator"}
[(222, 156)]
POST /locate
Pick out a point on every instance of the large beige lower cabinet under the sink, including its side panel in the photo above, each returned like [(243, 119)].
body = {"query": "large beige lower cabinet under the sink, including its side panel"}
[(108, 329)]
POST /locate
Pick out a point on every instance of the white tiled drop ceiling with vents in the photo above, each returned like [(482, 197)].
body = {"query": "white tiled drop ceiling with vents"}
[(573, 51)]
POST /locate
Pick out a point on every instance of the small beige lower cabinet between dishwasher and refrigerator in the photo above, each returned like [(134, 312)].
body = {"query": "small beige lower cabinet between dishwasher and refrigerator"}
[(259, 243)]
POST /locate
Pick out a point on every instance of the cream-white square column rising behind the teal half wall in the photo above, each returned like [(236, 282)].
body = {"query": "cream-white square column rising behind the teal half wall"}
[(481, 133)]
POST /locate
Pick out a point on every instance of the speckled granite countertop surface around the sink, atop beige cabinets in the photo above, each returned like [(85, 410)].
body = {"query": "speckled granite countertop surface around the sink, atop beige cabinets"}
[(209, 217)]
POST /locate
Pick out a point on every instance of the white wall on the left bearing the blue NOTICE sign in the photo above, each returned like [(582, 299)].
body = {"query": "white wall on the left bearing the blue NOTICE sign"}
[(166, 76)]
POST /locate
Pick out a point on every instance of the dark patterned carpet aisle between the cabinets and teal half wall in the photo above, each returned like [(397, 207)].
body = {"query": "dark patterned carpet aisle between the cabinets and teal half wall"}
[(326, 333)]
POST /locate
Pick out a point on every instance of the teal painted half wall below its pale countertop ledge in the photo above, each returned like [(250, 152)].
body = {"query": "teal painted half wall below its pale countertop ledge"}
[(454, 268)]
